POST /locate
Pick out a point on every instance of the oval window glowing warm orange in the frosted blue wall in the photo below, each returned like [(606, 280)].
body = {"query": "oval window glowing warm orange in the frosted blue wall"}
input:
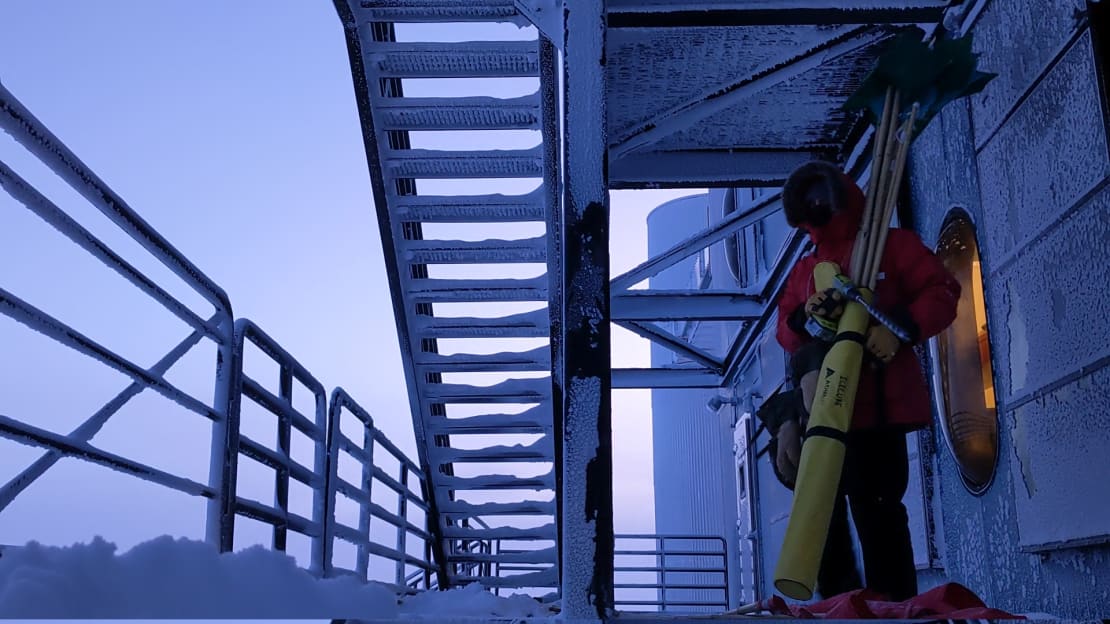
[(962, 364)]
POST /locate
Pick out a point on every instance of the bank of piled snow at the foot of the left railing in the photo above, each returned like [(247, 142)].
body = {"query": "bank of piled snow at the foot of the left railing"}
[(185, 579)]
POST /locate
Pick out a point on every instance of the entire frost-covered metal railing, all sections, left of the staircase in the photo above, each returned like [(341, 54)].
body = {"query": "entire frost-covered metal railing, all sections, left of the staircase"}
[(234, 340)]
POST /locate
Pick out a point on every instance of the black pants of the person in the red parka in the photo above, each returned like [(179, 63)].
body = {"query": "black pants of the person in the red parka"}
[(876, 475)]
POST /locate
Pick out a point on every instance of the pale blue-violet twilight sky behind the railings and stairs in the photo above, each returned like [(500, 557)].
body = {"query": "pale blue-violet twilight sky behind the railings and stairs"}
[(233, 129)]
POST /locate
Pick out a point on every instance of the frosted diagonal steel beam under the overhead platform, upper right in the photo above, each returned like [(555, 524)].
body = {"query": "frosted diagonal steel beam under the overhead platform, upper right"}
[(688, 115)]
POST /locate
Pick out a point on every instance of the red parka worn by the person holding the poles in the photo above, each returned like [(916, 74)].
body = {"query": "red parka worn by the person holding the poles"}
[(913, 287)]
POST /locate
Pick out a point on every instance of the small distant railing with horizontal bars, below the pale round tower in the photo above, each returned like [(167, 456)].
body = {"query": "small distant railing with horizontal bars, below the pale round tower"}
[(671, 573)]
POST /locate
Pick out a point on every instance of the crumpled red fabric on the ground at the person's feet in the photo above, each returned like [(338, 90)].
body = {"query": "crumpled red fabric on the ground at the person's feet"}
[(952, 601)]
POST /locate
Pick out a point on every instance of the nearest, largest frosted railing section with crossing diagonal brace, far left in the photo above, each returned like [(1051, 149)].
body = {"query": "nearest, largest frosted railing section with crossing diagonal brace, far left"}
[(33, 135)]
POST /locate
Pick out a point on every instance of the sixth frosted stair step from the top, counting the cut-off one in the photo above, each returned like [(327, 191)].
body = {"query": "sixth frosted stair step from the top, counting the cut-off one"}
[(492, 251)]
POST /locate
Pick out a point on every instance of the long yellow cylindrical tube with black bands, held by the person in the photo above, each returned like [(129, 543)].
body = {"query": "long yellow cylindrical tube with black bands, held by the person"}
[(822, 458)]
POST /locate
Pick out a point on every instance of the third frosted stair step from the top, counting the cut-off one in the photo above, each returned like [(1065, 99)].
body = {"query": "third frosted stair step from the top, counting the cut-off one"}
[(460, 114)]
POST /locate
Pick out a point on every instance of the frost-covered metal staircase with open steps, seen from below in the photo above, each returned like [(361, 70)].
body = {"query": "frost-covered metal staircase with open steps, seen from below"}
[(483, 491)]
